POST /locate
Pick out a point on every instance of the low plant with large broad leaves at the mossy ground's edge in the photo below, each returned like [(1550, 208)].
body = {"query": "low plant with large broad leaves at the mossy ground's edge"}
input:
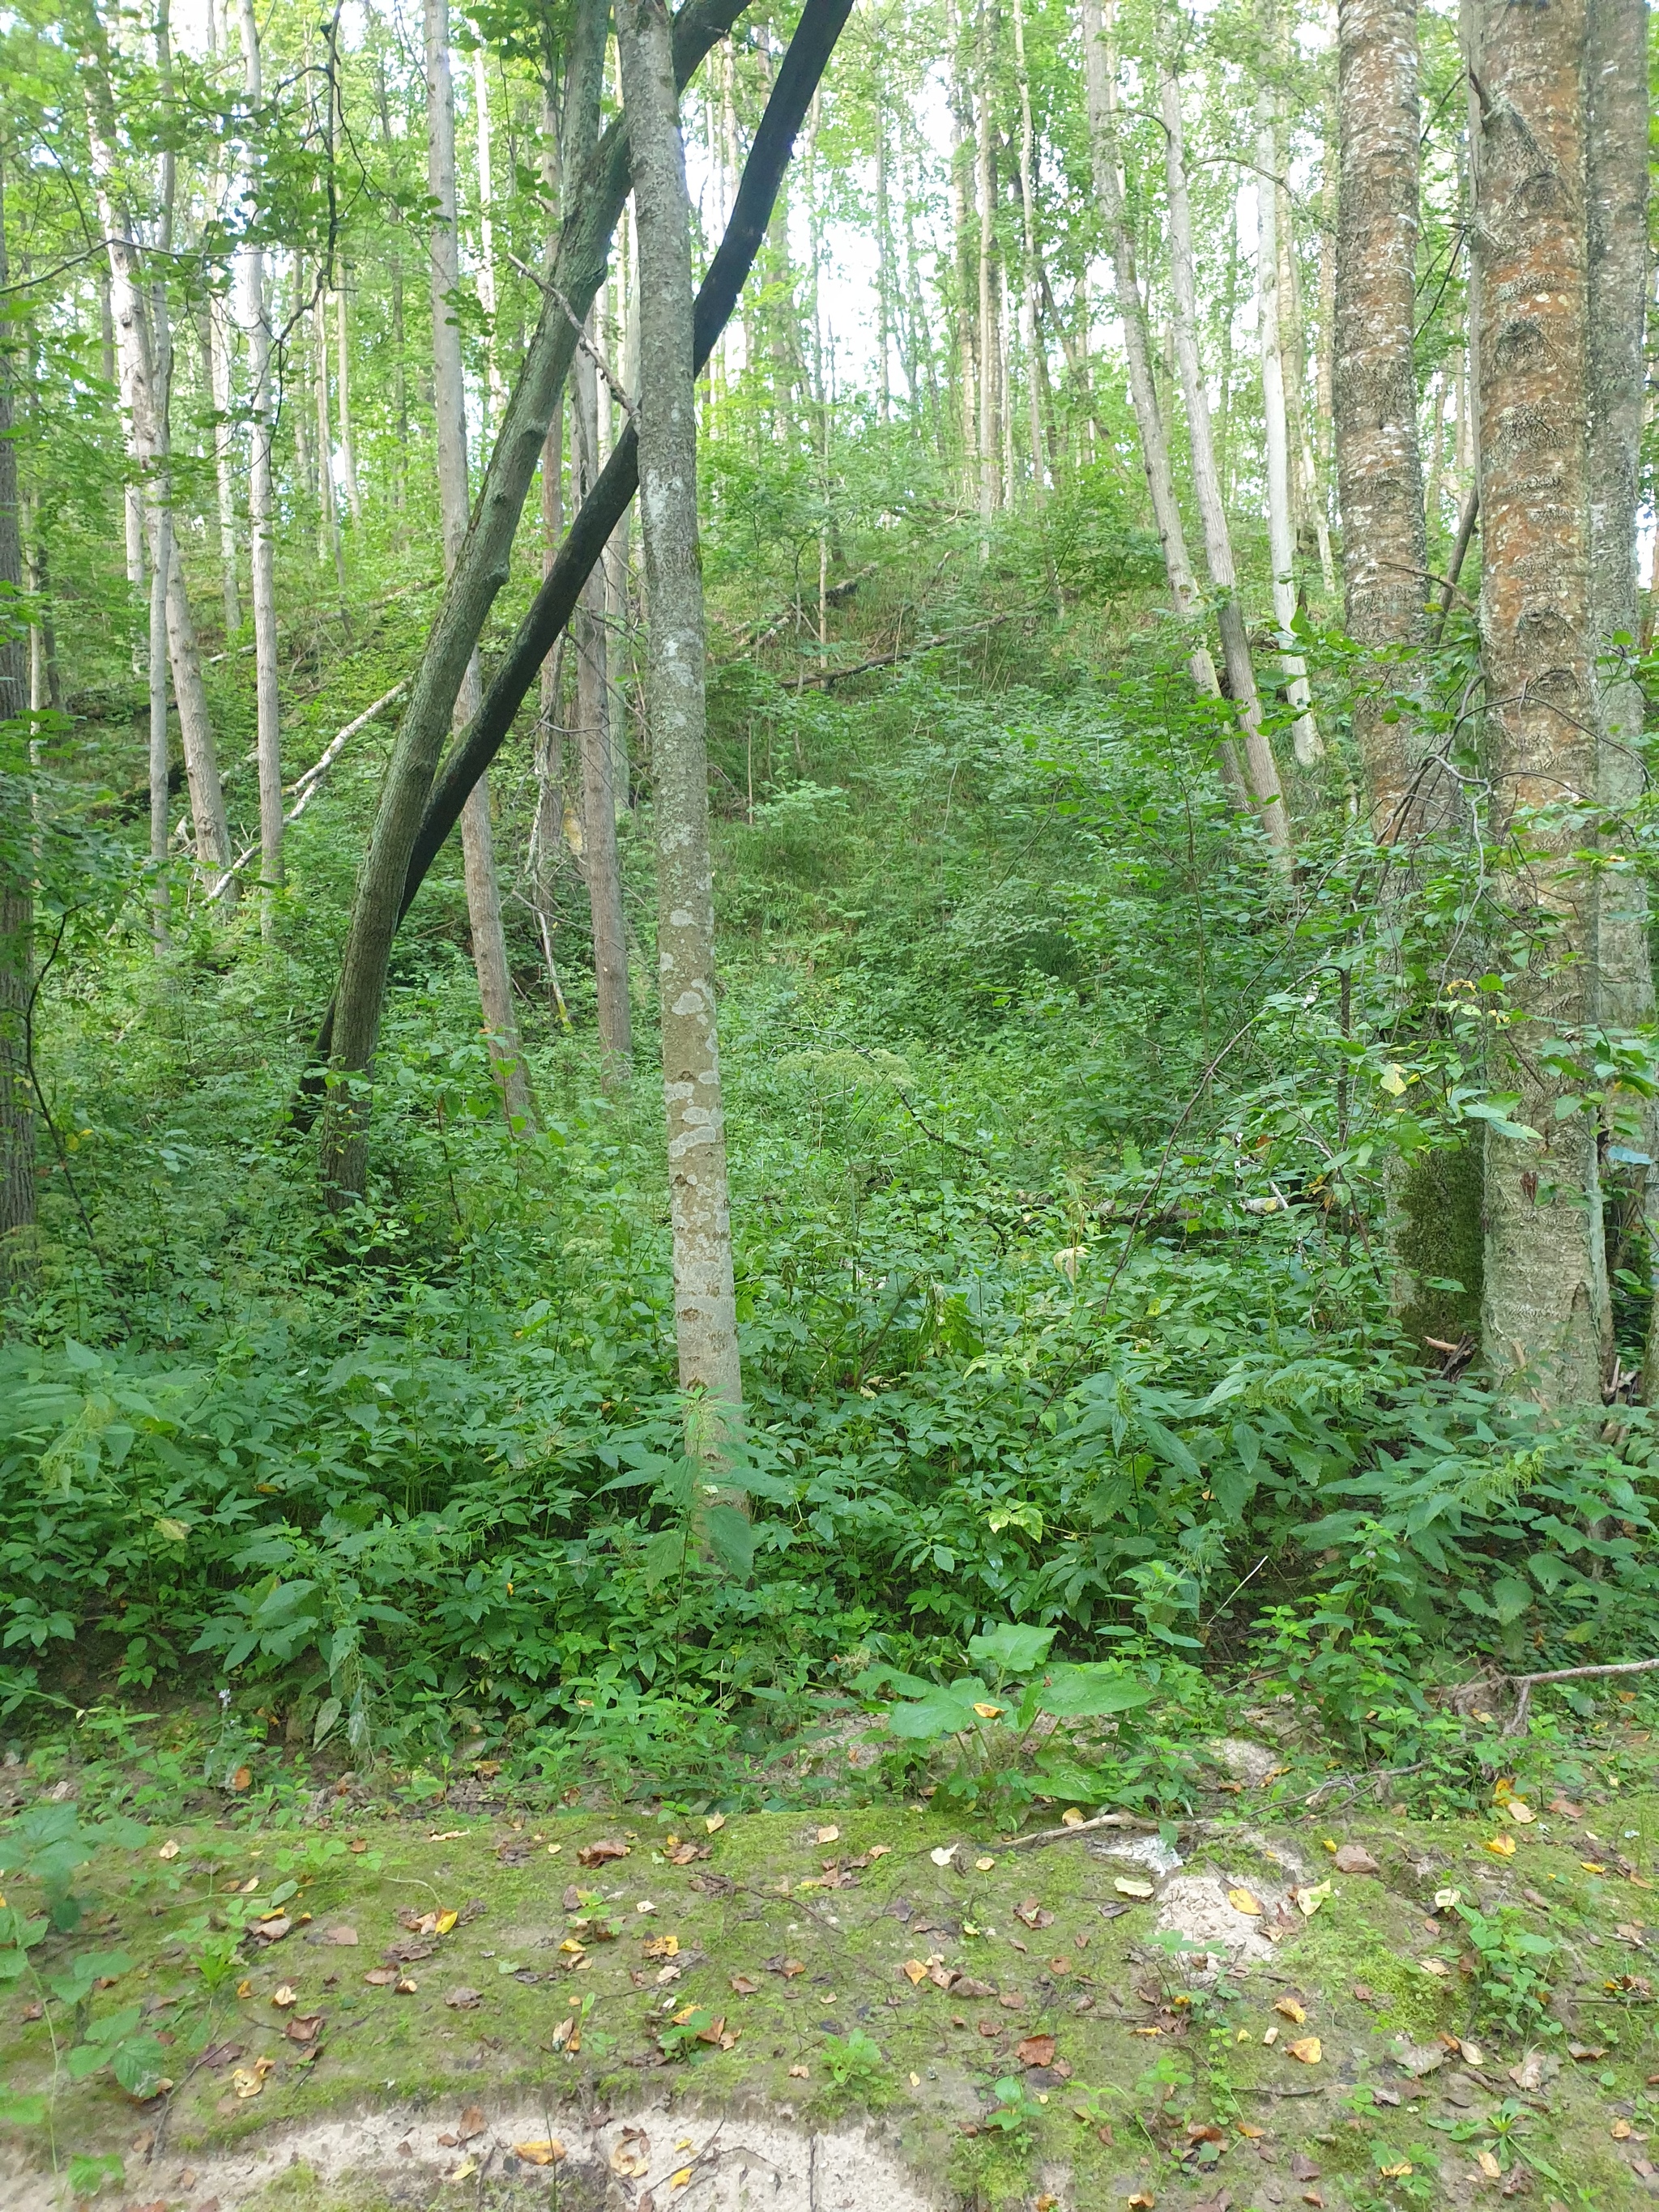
[(1019, 1726)]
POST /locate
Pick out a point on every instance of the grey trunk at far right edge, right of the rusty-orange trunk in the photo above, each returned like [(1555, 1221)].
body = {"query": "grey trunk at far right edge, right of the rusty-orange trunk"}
[(1616, 79)]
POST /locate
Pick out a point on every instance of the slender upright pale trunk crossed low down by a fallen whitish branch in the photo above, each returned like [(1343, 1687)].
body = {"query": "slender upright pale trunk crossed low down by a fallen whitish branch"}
[(262, 501)]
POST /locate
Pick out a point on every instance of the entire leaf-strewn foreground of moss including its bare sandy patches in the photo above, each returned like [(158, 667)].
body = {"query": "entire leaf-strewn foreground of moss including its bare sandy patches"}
[(870, 2012)]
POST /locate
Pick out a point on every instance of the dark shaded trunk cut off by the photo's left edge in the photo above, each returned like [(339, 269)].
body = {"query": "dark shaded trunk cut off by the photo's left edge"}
[(17, 890)]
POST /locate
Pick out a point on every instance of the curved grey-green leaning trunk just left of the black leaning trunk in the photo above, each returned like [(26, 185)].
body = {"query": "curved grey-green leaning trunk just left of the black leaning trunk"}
[(477, 578)]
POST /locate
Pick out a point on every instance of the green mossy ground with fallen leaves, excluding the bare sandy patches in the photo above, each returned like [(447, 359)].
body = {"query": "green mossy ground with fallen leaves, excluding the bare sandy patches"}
[(795, 1939)]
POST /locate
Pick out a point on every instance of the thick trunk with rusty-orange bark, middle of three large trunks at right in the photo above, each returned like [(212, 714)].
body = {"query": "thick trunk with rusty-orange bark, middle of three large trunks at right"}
[(1545, 1304)]
